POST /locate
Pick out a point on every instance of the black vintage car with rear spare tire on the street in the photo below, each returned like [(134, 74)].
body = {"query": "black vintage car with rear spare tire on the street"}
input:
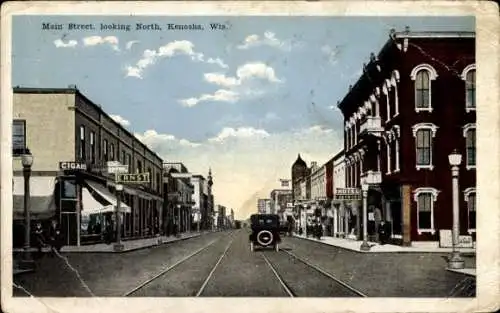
[(265, 231)]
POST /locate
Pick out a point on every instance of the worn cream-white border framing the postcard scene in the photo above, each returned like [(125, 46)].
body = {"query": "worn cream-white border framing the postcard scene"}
[(488, 170)]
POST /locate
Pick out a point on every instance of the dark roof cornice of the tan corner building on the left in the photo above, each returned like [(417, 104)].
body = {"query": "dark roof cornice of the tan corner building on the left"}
[(76, 91)]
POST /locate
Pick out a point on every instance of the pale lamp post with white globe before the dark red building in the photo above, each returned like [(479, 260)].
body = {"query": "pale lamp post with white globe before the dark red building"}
[(455, 262)]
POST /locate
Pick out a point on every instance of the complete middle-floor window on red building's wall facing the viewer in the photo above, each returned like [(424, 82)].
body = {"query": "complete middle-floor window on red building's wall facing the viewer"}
[(424, 134)]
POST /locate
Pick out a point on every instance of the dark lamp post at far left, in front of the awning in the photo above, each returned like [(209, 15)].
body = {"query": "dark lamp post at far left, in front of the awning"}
[(27, 162)]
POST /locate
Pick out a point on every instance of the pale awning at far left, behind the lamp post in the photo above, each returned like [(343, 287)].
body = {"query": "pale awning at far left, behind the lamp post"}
[(42, 202)]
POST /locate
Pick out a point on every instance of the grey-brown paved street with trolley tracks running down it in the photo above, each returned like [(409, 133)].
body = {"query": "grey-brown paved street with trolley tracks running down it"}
[(221, 264)]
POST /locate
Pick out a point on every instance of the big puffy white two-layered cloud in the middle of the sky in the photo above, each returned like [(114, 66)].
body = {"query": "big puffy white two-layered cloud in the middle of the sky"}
[(234, 88)]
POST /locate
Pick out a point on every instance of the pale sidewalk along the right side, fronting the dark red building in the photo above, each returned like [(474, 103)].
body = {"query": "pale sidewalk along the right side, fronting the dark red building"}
[(354, 245)]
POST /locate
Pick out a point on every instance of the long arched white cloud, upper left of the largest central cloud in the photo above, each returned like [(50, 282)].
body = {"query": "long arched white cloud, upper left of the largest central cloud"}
[(171, 49)]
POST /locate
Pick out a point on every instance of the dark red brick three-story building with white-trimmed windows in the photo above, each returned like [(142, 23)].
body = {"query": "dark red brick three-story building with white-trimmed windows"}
[(413, 105)]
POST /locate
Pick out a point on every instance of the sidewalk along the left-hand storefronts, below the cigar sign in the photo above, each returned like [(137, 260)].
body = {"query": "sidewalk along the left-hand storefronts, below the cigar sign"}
[(128, 245)]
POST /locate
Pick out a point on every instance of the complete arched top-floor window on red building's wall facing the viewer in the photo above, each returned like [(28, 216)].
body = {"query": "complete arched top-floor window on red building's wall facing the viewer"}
[(423, 74)]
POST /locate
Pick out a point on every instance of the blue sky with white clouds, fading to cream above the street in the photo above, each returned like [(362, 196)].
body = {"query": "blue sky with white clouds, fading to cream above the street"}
[(244, 100)]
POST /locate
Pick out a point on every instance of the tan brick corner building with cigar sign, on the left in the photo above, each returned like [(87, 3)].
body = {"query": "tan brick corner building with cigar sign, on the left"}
[(74, 143)]
